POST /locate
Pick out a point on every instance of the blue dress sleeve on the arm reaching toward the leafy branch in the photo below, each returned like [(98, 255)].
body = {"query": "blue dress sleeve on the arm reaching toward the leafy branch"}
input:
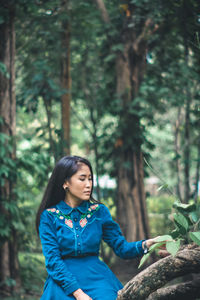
[(112, 235)]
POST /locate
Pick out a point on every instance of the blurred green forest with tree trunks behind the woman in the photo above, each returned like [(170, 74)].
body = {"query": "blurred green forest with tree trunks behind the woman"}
[(114, 81)]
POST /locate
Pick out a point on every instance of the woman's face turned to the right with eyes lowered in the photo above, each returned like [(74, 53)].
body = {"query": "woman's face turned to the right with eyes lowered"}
[(79, 186)]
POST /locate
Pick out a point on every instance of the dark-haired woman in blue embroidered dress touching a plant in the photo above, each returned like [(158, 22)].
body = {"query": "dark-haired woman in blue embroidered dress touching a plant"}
[(71, 225)]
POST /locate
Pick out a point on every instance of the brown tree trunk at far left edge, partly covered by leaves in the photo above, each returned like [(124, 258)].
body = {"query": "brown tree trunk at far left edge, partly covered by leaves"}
[(9, 265)]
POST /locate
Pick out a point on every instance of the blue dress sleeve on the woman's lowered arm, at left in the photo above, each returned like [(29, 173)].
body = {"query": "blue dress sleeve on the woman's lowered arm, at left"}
[(54, 263)]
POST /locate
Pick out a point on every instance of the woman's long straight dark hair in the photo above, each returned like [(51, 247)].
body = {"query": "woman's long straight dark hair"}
[(65, 168)]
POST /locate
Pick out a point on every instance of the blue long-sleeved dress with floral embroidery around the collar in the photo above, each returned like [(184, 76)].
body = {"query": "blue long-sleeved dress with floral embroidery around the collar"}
[(71, 240)]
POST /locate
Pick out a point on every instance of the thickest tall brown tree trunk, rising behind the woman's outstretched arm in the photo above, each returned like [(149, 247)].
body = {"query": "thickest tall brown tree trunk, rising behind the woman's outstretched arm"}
[(130, 69)]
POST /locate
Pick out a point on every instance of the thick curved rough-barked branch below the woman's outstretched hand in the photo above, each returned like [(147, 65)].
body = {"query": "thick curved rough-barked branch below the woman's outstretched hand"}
[(158, 274)]
